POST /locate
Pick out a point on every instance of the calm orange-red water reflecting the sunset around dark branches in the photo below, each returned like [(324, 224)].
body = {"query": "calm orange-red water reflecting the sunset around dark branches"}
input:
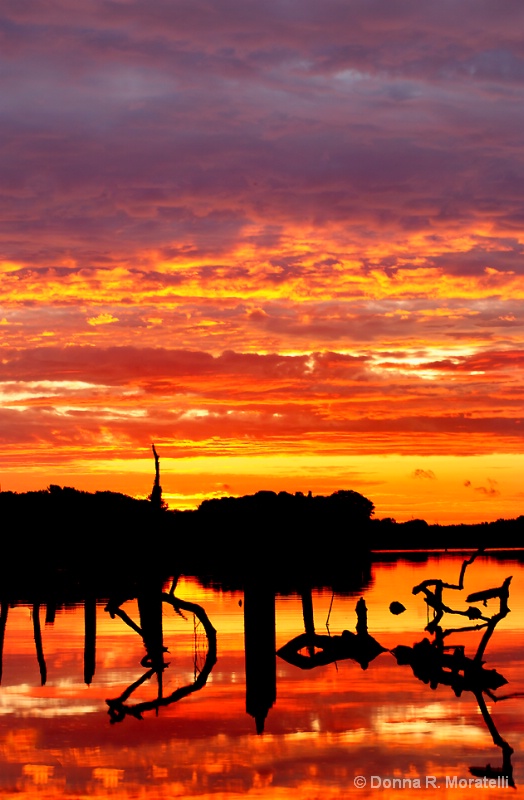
[(327, 726)]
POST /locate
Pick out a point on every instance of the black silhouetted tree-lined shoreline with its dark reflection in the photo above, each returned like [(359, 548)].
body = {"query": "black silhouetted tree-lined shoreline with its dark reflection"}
[(63, 536)]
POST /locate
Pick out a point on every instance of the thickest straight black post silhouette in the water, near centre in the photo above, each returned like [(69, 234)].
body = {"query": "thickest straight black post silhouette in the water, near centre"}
[(260, 647)]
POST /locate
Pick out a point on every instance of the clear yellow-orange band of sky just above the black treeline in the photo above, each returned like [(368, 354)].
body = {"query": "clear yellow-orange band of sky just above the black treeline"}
[(472, 488)]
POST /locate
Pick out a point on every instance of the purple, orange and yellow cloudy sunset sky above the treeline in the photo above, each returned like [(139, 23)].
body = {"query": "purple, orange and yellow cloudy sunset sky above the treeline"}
[(282, 240)]
